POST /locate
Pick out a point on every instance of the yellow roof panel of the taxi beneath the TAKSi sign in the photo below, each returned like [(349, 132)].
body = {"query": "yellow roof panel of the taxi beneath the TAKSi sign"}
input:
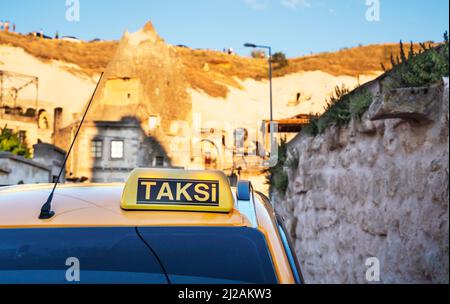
[(92, 205)]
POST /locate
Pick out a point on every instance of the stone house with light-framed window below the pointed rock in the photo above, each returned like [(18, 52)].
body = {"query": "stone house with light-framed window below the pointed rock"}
[(109, 151)]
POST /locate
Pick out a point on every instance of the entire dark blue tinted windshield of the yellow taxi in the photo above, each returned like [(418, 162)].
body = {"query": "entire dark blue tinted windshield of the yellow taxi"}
[(191, 255)]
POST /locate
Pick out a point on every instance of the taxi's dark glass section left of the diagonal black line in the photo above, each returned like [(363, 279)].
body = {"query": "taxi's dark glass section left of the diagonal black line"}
[(105, 255)]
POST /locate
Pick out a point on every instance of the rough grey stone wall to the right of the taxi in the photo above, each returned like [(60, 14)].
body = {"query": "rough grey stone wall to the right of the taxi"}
[(375, 188)]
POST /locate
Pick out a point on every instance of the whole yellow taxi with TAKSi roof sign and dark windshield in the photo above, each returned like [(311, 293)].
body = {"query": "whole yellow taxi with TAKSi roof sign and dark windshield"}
[(160, 227)]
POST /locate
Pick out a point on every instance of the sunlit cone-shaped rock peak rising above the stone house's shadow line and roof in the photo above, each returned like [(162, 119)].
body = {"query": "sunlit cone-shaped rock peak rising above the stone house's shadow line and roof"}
[(145, 78)]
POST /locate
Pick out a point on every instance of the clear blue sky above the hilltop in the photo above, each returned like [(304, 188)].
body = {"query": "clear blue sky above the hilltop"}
[(296, 27)]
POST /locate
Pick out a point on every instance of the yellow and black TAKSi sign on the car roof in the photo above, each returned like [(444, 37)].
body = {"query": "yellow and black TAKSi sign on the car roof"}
[(177, 190)]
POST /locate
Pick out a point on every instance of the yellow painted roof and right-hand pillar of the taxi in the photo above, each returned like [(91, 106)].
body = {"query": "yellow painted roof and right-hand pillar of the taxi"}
[(99, 205)]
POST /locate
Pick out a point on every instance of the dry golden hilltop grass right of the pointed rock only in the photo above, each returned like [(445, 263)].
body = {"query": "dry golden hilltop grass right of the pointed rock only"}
[(213, 71)]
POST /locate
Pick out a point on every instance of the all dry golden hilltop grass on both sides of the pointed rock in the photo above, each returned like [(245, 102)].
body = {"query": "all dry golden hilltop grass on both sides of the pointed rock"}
[(211, 71)]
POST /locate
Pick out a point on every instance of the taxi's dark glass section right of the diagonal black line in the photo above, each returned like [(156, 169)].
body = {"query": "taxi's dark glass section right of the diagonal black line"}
[(212, 254)]
